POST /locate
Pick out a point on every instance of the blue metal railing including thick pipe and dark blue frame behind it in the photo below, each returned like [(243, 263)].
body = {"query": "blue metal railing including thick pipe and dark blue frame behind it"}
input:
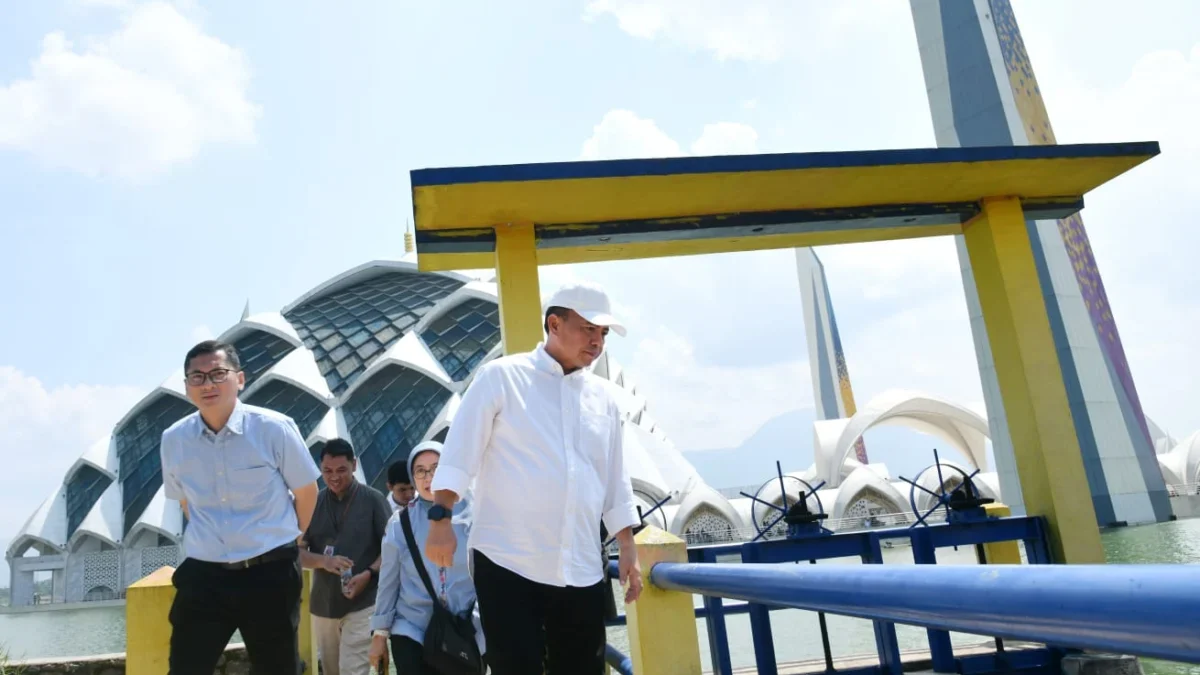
[(1108, 608)]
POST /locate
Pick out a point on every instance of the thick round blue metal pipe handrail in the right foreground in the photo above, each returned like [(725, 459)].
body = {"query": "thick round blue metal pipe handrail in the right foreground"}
[(1151, 611)]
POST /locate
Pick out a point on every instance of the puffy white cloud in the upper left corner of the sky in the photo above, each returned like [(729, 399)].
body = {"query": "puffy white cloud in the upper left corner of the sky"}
[(131, 104)]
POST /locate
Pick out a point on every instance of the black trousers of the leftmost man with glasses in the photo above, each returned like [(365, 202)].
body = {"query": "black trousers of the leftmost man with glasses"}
[(212, 602)]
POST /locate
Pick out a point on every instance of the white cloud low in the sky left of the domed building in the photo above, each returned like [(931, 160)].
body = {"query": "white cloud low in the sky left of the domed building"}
[(46, 431)]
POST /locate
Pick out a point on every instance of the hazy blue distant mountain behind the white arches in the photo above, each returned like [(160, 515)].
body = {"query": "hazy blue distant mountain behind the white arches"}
[(789, 440)]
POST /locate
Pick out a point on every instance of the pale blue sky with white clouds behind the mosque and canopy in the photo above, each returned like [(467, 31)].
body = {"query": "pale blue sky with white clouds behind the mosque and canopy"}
[(165, 163)]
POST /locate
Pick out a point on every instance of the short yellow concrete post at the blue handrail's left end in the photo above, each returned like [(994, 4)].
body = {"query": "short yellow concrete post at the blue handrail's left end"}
[(663, 637)]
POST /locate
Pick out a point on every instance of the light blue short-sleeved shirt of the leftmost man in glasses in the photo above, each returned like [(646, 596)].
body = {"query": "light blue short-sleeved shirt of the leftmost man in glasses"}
[(237, 482)]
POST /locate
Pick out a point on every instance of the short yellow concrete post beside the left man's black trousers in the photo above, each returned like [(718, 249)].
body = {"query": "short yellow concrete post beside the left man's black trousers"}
[(148, 625)]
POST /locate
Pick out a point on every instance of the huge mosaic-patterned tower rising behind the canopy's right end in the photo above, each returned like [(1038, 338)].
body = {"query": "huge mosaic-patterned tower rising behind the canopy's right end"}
[(982, 92)]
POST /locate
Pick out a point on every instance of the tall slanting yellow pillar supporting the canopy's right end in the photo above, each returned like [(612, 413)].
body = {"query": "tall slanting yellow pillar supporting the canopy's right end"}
[(1049, 462)]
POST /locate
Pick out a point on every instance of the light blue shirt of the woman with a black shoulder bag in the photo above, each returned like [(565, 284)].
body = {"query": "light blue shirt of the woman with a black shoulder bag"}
[(403, 605)]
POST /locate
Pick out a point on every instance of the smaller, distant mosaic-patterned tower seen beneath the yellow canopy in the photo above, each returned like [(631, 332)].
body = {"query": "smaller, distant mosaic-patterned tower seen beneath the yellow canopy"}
[(832, 393)]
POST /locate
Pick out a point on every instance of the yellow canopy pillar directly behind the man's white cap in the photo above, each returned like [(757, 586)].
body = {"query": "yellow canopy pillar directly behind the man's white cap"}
[(517, 284)]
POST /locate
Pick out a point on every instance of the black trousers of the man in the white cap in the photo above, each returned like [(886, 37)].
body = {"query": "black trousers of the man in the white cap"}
[(533, 629)]
